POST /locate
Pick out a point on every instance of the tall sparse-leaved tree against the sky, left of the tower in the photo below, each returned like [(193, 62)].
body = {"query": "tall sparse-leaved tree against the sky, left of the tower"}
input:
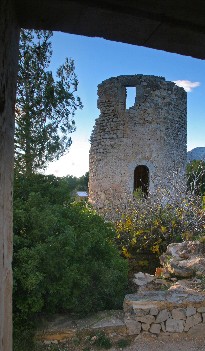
[(46, 104)]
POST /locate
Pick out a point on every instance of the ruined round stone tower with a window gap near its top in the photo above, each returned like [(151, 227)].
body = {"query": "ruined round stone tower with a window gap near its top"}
[(136, 147)]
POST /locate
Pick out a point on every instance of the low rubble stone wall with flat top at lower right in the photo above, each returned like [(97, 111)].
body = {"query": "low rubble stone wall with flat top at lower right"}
[(164, 312)]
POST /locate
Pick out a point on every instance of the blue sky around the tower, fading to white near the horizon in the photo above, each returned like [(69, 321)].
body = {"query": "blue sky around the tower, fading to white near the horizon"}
[(98, 59)]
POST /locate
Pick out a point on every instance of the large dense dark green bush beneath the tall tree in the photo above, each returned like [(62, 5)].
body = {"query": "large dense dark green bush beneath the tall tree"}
[(65, 258)]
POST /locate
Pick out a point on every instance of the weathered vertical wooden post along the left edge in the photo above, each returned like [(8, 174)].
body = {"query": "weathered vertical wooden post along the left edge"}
[(9, 36)]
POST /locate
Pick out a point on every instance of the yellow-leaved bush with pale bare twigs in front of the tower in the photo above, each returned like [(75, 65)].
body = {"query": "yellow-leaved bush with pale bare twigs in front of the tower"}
[(151, 223)]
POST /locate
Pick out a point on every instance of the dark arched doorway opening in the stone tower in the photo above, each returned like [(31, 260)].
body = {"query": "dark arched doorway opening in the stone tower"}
[(141, 179)]
